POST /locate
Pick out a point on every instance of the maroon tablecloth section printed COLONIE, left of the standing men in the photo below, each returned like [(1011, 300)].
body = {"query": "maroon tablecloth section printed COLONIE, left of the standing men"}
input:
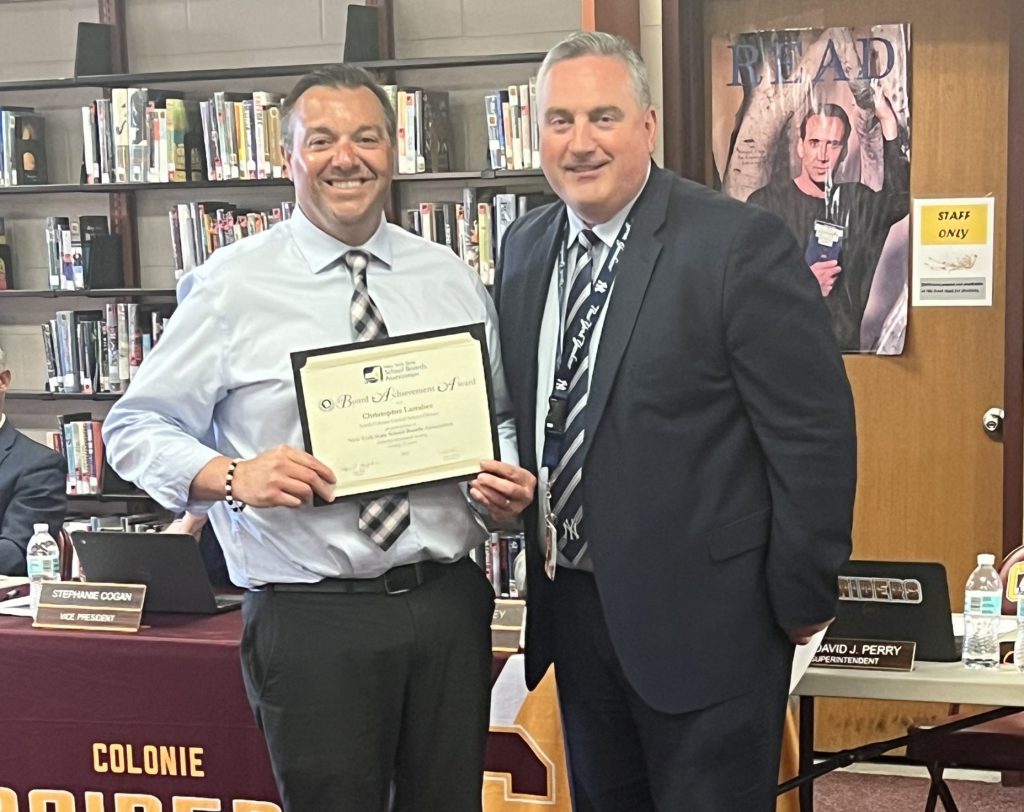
[(161, 713)]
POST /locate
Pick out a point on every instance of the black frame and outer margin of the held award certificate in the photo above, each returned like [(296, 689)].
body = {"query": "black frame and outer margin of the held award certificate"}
[(417, 480)]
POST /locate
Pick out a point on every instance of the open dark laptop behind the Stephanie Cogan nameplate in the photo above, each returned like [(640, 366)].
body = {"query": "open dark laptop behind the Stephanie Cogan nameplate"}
[(169, 565)]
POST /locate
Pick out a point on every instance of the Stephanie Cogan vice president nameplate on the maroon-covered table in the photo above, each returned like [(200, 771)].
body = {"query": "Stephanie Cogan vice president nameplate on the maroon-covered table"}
[(106, 608)]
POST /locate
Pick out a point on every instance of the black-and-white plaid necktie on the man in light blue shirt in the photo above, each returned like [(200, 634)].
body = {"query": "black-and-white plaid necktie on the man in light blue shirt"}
[(383, 519)]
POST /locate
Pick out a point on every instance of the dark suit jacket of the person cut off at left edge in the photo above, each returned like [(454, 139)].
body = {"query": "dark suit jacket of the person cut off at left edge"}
[(32, 490)]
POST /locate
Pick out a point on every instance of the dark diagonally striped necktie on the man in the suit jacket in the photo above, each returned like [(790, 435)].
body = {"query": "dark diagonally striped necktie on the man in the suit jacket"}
[(567, 479)]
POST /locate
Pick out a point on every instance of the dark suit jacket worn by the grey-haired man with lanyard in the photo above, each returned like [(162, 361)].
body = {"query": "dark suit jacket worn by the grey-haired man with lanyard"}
[(720, 443)]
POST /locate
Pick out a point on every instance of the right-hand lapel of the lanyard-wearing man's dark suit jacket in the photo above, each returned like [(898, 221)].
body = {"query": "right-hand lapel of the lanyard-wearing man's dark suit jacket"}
[(635, 269)]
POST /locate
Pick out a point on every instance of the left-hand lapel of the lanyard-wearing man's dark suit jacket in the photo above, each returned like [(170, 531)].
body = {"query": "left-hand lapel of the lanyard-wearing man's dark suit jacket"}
[(540, 266)]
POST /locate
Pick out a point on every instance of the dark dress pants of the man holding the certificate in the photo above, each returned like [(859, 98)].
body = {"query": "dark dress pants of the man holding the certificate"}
[(357, 695)]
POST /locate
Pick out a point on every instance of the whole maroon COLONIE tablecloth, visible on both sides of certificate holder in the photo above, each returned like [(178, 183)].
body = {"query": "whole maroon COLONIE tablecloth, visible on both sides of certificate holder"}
[(162, 715)]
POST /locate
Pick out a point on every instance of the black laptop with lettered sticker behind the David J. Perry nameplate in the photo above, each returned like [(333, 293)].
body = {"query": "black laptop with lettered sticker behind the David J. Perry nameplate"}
[(898, 601)]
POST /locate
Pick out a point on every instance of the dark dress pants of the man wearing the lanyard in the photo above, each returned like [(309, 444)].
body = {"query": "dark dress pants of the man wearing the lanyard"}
[(627, 757)]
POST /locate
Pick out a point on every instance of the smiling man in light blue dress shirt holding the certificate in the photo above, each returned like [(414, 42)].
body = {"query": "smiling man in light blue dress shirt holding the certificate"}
[(368, 669)]
